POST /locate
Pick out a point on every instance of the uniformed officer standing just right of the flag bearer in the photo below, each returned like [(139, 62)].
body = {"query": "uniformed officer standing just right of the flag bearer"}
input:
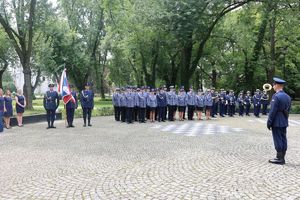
[(87, 104)]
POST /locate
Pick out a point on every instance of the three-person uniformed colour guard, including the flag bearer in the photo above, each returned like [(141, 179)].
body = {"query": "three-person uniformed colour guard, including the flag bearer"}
[(51, 103)]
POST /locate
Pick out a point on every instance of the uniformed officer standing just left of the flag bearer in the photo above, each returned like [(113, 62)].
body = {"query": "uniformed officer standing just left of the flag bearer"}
[(51, 103)]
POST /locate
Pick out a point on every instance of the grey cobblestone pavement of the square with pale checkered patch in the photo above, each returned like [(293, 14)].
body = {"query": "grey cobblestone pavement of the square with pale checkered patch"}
[(148, 161)]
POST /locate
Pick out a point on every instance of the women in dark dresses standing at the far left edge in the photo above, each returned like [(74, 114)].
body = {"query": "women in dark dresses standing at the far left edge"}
[(6, 108)]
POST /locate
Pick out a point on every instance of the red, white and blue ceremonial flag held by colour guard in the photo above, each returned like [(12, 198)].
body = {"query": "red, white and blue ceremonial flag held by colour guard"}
[(64, 89)]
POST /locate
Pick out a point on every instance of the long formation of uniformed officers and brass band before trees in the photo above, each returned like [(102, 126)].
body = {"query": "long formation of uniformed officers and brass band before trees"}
[(138, 104)]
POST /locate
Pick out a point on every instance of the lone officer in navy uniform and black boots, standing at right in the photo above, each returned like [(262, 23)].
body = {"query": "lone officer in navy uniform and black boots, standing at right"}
[(278, 120)]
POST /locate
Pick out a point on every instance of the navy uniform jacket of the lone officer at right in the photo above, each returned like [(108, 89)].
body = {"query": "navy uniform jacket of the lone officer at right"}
[(280, 106)]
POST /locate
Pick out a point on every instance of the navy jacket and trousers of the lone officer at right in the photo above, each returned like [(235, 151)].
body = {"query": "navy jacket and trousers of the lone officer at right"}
[(278, 119)]
